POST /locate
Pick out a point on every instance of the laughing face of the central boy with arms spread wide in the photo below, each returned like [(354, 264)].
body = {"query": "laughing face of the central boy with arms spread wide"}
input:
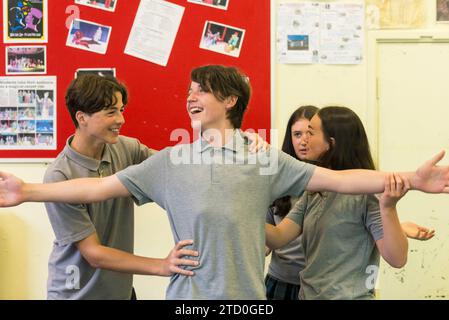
[(206, 110)]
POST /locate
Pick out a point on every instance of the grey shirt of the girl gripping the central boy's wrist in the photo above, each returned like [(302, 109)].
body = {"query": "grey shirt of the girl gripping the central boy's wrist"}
[(339, 234)]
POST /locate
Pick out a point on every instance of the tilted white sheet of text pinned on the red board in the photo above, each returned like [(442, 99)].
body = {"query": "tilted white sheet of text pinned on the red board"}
[(154, 31)]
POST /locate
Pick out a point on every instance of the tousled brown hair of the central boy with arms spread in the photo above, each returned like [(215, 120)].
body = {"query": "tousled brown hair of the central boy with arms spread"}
[(224, 82)]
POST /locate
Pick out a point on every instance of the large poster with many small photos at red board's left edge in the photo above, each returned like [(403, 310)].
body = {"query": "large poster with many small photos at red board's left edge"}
[(28, 113)]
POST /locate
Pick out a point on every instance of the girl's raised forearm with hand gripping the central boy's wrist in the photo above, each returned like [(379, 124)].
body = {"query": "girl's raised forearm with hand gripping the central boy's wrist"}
[(393, 246)]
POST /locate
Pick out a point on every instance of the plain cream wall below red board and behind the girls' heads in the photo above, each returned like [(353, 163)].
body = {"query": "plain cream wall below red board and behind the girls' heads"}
[(26, 236)]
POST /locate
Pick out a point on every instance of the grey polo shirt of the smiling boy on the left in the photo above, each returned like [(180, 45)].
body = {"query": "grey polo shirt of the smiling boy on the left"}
[(69, 275)]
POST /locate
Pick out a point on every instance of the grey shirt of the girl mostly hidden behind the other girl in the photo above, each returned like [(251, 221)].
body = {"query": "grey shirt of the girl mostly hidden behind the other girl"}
[(288, 261)]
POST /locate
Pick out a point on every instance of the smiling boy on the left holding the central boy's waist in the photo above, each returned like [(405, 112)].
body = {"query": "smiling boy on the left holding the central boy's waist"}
[(92, 256)]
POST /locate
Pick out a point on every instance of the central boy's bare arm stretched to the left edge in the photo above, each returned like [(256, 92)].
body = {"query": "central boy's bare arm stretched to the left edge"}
[(14, 191)]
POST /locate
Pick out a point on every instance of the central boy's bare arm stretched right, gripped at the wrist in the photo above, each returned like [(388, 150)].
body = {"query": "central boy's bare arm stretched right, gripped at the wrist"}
[(428, 178)]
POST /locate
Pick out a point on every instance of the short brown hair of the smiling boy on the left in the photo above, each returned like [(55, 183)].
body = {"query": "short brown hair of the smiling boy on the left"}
[(92, 93)]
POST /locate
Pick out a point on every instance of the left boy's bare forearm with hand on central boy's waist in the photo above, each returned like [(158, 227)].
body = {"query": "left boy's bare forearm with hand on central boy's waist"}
[(103, 257)]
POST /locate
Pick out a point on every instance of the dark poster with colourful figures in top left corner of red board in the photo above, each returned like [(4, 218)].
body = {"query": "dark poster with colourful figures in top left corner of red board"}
[(24, 21)]
